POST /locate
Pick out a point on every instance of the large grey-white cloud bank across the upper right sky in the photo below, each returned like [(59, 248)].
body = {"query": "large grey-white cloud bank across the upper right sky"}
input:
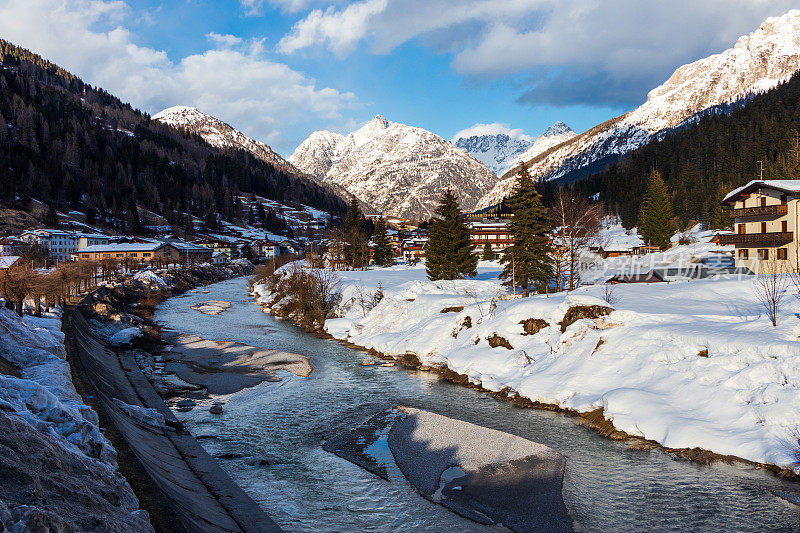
[(624, 42)]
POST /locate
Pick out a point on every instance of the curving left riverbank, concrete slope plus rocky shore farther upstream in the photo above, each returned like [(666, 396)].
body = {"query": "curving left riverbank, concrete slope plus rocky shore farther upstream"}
[(112, 335)]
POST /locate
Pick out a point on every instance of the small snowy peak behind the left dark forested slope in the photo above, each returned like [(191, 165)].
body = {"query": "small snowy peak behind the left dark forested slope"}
[(219, 134)]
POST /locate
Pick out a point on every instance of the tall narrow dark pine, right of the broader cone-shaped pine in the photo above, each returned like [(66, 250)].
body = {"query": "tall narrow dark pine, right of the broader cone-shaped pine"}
[(527, 260)]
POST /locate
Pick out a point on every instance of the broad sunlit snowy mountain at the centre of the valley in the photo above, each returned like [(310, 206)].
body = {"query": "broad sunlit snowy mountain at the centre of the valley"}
[(393, 168)]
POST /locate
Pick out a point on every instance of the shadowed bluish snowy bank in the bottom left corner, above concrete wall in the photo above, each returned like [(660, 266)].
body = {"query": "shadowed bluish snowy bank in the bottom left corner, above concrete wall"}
[(59, 471)]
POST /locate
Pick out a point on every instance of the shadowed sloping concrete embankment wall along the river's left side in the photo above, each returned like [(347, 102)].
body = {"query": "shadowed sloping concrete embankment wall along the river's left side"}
[(199, 492)]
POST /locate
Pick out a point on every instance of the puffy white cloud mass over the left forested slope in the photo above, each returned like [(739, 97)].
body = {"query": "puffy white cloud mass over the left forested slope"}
[(231, 80)]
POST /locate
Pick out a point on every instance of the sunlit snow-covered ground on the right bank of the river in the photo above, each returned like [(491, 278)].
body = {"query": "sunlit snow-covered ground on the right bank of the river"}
[(686, 364)]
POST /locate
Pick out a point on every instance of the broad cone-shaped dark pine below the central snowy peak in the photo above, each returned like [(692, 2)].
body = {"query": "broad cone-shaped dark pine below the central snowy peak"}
[(449, 251)]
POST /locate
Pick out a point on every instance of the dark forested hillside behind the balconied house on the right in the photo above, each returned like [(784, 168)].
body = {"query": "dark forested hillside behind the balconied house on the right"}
[(699, 164)]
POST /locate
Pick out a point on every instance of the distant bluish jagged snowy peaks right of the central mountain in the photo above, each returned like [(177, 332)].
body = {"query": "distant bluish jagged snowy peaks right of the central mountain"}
[(502, 152)]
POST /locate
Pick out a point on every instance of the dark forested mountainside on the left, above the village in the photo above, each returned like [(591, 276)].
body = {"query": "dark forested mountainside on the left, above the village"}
[(74, 146)]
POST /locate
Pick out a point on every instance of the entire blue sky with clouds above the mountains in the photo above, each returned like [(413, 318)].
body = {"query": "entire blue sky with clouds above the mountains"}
[(278, 69)]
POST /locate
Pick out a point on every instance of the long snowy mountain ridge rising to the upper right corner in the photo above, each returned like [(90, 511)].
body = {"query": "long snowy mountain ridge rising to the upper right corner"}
[(758, 62)]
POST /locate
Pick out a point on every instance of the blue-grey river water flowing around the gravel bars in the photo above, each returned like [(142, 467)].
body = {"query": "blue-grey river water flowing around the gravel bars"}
[(269, 439)]
